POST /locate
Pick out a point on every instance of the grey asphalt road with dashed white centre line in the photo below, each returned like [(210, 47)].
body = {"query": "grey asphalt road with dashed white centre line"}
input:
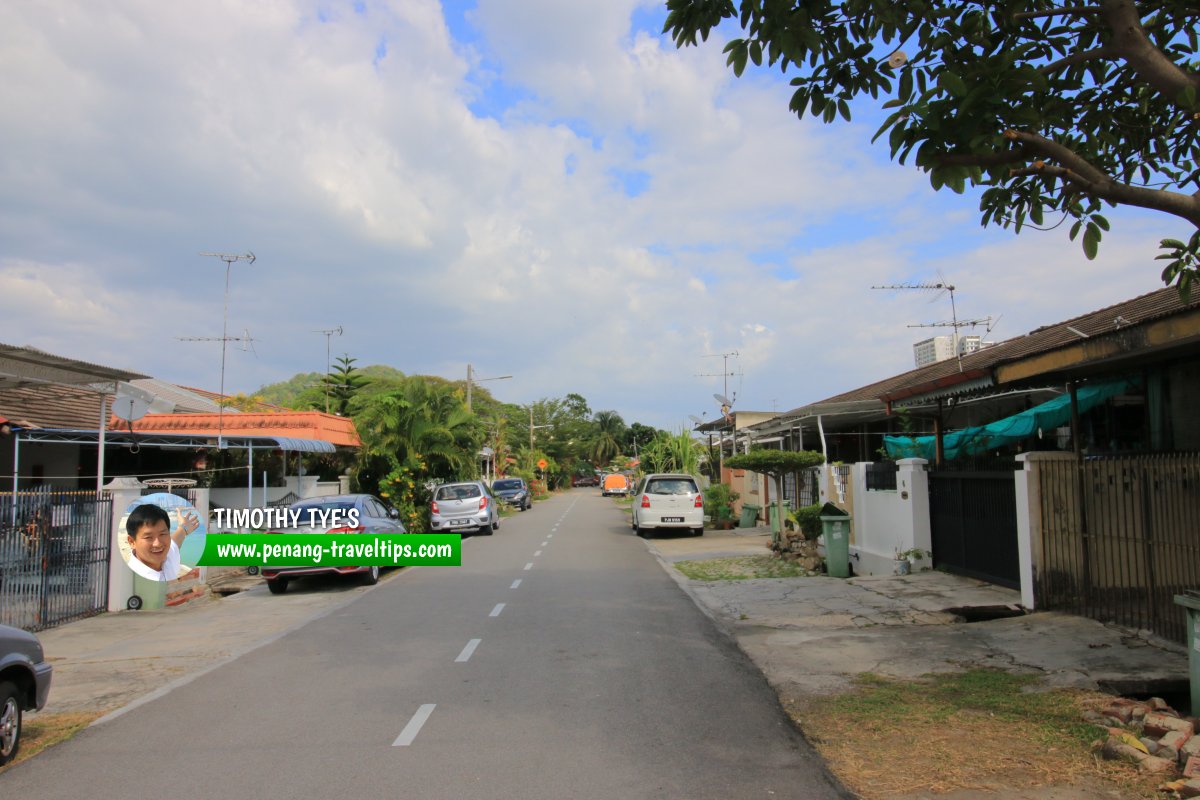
[(560, 661)]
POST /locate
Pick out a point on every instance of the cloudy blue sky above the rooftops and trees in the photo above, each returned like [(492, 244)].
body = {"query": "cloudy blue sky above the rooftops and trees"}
[(541, 189)]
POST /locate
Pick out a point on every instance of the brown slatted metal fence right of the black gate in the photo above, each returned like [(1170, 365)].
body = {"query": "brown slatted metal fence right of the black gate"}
[(1121, 538)]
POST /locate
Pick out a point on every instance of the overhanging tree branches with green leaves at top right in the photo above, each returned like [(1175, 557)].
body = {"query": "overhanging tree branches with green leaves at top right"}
[(1053, 110)]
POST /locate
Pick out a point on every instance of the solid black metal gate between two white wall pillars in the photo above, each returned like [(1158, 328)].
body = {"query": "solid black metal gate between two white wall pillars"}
[(974, 524)]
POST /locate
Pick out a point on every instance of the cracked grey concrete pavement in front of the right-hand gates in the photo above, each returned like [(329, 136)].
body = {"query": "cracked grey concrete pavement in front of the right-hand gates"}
[(812, 636)]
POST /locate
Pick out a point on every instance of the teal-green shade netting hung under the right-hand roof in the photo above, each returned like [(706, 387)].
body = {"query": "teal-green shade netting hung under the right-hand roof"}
[(981, 440)]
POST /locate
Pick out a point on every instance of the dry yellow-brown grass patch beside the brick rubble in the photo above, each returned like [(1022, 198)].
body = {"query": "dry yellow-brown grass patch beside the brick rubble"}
[(982, 730)]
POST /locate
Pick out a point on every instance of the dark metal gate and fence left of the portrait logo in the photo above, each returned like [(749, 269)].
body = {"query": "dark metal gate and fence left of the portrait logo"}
[(55, 554)]
